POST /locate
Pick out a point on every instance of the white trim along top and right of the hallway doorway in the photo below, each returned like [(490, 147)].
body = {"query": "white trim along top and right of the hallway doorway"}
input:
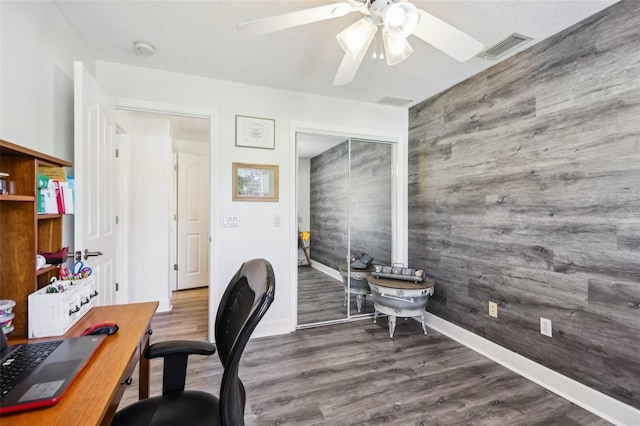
[(212, 116)]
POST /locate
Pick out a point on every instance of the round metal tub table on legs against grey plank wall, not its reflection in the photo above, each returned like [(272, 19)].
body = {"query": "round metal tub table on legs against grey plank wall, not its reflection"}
[(397, 298)]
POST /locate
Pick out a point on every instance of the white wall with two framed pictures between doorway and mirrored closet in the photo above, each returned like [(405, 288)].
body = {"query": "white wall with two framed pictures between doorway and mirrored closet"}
[(256, 236)]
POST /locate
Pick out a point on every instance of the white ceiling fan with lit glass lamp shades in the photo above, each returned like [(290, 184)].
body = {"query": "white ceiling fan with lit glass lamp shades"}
[(397, 18)]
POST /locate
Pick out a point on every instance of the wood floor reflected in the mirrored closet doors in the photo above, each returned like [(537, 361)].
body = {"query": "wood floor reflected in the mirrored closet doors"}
[(321, 298)]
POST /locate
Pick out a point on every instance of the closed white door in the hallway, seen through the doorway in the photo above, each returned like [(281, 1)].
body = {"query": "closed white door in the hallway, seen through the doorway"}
[(193, 221)]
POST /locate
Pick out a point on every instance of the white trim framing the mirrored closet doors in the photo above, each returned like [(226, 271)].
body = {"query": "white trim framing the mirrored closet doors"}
[(399, 224)]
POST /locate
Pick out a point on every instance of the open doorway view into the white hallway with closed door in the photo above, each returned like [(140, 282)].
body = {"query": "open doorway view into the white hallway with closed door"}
[(169, 199)]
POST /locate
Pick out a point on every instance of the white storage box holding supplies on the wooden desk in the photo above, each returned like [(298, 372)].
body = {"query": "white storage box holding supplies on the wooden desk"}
[(52, 314)]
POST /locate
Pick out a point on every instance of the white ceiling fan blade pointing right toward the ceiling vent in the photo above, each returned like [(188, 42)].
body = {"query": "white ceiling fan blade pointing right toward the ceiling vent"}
[(446, 37)]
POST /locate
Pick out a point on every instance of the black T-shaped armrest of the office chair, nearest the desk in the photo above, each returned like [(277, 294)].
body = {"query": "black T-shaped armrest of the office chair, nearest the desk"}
[(175, 354)]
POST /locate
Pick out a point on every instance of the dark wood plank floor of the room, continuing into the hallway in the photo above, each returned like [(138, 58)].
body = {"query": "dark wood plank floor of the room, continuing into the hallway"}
[(353, 374)]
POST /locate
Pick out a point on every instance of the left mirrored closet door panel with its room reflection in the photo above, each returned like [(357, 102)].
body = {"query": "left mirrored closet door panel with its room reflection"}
[(322, 205)]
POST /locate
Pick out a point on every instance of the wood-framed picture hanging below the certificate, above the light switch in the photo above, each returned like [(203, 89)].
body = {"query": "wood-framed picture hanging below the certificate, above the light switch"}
[(255, 182)]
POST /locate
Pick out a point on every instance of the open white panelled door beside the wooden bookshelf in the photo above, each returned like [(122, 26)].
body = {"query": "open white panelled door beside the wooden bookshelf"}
[(94, 156)]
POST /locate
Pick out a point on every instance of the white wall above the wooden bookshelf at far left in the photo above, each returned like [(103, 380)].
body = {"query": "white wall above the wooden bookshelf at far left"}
[(37, 50)]
